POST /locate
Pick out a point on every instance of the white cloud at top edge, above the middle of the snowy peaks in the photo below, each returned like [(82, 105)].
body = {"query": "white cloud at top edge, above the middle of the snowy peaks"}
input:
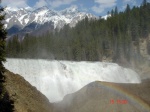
[(53, 3)]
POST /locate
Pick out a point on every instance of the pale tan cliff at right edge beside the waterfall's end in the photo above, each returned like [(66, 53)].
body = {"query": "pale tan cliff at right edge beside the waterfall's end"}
[(142, 67)]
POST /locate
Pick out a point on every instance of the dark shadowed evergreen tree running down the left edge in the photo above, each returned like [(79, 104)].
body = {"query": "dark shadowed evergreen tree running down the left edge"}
[(6, 105)]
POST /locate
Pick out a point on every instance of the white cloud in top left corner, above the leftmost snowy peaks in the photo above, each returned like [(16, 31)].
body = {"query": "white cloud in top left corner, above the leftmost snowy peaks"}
[(15, 3)]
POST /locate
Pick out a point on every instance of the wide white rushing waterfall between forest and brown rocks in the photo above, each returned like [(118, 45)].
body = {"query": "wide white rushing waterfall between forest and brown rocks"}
[(55, 79)]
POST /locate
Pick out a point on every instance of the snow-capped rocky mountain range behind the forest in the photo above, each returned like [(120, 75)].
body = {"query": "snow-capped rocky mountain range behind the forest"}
[(28, 20)]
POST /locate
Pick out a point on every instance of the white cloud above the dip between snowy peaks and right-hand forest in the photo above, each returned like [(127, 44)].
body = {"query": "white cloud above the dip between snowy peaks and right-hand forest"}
[(102, 5)]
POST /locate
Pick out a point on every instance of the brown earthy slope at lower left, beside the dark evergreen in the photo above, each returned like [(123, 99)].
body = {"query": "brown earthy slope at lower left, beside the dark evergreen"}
[(26, 97)]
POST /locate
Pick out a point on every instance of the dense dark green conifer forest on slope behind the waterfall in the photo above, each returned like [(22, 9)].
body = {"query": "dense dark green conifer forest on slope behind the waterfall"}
[(90, 40)]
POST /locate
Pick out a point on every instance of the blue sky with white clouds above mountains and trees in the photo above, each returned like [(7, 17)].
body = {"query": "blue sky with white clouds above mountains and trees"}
[(96, 7)]
